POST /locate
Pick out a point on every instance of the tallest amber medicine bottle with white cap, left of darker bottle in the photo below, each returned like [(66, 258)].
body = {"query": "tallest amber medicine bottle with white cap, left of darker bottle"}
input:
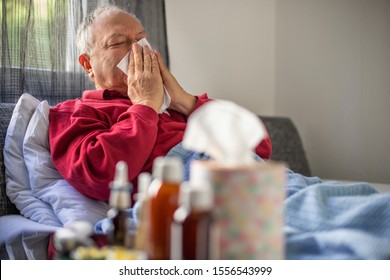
[(163, 201)]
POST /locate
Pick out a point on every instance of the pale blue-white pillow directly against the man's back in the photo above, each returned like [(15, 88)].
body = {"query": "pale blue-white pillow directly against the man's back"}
[(47, 183)]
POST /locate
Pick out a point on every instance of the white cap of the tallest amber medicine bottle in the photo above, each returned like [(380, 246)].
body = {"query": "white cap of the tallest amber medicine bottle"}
[(168, 169)]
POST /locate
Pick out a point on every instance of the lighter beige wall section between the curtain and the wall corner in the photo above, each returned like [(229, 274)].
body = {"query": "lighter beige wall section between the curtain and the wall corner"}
[(215, 48)]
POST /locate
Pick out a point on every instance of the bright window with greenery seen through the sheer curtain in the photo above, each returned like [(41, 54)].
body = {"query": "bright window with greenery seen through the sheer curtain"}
[(32, 30)]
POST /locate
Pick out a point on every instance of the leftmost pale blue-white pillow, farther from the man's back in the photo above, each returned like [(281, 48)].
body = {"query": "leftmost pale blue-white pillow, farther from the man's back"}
[(17, 179)]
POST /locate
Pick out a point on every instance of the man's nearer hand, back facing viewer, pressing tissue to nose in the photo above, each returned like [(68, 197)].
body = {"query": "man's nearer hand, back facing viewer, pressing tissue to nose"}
[(144, 78)]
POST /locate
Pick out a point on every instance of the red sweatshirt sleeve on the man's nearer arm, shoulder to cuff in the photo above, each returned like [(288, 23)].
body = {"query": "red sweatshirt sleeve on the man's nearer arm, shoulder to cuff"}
[(84, 145)]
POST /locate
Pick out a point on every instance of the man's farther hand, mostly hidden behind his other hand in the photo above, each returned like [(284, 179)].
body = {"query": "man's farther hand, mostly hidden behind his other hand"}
[(181, 101)]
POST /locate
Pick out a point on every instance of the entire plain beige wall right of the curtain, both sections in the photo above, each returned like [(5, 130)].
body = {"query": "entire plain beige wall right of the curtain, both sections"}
[(323, 63)]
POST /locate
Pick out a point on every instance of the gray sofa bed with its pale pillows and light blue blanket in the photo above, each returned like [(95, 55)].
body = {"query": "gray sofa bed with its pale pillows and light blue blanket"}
[(324, 219)]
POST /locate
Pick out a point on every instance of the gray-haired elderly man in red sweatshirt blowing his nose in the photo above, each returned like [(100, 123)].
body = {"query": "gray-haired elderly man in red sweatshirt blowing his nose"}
[(119, 120)]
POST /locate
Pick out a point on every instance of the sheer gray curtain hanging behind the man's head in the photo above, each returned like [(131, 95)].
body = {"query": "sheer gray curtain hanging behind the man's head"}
[(38, 52)]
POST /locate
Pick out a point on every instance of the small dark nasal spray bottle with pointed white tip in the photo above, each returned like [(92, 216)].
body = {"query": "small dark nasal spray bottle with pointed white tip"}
[(119, 202)]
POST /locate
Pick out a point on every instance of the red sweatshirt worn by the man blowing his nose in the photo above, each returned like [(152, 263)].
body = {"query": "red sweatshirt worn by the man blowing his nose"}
[(89, 135)]
